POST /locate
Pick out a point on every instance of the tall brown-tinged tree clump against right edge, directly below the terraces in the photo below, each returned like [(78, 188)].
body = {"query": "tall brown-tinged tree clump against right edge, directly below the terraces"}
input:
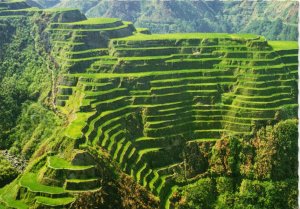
[(276, 151)]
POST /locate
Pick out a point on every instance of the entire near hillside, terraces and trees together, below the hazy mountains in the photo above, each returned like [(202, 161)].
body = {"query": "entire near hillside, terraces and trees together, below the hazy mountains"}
[(103, 114)]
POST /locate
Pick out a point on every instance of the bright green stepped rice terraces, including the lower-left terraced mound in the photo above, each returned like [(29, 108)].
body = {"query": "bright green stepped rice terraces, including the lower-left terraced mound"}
[(145, 98)]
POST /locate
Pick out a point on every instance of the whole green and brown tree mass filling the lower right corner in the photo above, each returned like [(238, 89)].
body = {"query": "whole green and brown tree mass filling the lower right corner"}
[(256, 173)]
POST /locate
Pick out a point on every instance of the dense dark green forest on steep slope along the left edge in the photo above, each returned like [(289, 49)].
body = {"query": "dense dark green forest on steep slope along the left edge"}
[(23, 76)]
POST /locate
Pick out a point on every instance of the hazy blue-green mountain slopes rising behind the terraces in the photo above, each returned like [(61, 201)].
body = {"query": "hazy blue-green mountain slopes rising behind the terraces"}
[(273, 19)]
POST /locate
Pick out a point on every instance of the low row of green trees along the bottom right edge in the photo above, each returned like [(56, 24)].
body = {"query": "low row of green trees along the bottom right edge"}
[(223, 193)]
